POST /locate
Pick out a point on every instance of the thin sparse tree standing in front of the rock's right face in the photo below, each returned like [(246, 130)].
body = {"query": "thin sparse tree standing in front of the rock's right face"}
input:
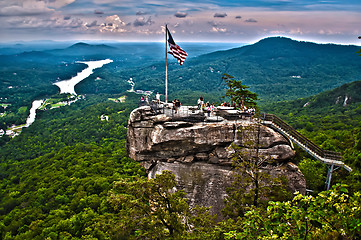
[(253, 186)]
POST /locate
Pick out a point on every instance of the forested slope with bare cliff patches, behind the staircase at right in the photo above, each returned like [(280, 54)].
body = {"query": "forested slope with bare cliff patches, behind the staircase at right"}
[(332, 120)]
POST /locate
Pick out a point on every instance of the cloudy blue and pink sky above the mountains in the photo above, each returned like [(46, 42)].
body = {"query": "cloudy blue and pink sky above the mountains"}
[(243, 21)]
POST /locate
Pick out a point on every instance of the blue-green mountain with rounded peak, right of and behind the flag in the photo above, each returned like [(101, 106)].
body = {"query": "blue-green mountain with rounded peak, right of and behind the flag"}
[(276, 68)]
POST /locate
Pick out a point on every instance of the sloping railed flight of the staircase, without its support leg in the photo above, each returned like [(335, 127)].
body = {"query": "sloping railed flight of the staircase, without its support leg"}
[(326, 156)]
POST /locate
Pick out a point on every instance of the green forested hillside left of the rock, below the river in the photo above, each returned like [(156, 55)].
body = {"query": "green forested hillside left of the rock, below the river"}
[(55, 176)]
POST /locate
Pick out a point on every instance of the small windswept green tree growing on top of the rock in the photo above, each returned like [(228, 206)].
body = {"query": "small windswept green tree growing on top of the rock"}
[(238, 92)]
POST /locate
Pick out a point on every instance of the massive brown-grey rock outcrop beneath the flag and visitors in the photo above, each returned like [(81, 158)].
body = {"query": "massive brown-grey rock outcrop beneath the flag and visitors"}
[(199, 153)]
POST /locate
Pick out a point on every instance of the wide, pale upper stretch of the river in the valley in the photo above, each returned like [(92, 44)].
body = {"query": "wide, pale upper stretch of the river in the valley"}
[(68, 86)]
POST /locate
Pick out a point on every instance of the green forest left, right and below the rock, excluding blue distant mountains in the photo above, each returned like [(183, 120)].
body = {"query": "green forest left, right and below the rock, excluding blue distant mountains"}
[(67, 176)]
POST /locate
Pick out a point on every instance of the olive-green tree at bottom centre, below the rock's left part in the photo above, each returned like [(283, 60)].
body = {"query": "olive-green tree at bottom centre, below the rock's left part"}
[(153, 209)]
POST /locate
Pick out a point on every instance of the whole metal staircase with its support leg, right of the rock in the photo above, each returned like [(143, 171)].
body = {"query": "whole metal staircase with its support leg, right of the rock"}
[(333, 160)]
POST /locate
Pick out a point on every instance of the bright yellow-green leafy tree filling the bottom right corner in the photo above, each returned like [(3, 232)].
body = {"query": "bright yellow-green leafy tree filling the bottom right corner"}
[(333, 214)]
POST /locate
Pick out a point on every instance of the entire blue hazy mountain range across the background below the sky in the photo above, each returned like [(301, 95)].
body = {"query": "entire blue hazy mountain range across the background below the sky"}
[(275, 68)]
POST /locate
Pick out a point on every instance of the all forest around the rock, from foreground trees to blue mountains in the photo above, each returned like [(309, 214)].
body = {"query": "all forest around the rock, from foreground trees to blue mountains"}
[(67, 176)]
